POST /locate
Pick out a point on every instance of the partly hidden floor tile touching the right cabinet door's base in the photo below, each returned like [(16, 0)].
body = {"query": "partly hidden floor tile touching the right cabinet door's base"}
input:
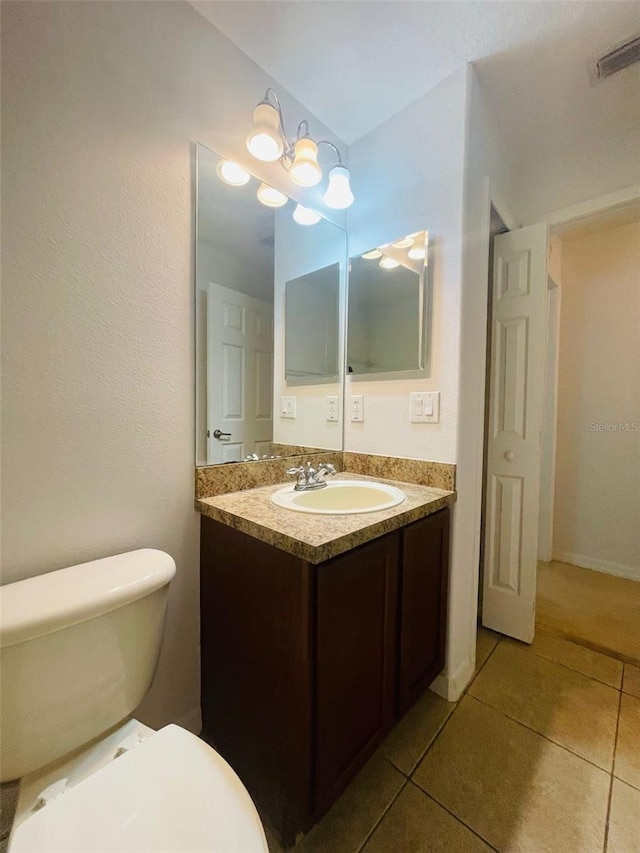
[(413, 735)]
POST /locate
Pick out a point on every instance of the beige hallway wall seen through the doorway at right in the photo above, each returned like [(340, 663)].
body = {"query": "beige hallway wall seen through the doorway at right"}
[(597, 495)]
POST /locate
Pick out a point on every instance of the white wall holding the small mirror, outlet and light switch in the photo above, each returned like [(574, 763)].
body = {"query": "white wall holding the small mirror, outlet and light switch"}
[(407, 175)]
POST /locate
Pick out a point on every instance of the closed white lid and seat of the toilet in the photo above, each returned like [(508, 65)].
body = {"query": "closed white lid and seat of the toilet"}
[(170, 794)]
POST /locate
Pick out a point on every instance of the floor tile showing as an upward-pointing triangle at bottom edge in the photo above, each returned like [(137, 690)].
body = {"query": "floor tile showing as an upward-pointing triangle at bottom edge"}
[(416, 824)]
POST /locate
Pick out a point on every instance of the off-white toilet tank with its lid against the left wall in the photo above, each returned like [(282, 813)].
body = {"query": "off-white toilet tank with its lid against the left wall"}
[(78, 651)]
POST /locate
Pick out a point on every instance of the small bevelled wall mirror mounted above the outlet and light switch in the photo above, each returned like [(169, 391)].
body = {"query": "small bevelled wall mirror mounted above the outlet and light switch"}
[(388, 299)]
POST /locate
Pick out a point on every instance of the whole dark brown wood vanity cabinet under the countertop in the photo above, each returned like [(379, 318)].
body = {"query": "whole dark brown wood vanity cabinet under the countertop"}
[(306, 668)]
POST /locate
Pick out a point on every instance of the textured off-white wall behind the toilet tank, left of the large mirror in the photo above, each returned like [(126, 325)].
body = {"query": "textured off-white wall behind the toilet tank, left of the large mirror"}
[(101, 105)]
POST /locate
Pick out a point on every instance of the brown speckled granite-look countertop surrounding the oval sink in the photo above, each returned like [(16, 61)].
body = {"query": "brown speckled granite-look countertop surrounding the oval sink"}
[(316, 538)]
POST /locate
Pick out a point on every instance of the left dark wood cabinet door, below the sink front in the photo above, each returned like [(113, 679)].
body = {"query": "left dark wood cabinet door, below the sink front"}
[(355, 661)]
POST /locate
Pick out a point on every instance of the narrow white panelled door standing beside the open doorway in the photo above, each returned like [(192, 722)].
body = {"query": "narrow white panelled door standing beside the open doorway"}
[(516, 376)]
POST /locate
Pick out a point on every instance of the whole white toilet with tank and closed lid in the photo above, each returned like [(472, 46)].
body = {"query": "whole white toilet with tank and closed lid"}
[(79, 647)]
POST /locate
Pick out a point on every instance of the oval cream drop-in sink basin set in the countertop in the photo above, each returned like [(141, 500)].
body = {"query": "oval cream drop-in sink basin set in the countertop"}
[(340, 498)]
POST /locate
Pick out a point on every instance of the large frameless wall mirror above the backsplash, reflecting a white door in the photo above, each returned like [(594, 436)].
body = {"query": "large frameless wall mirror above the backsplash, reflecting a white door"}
[(270, 315)]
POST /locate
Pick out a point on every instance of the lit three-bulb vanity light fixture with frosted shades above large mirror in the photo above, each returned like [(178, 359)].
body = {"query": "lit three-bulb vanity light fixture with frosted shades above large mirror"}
[(268, 141)]
